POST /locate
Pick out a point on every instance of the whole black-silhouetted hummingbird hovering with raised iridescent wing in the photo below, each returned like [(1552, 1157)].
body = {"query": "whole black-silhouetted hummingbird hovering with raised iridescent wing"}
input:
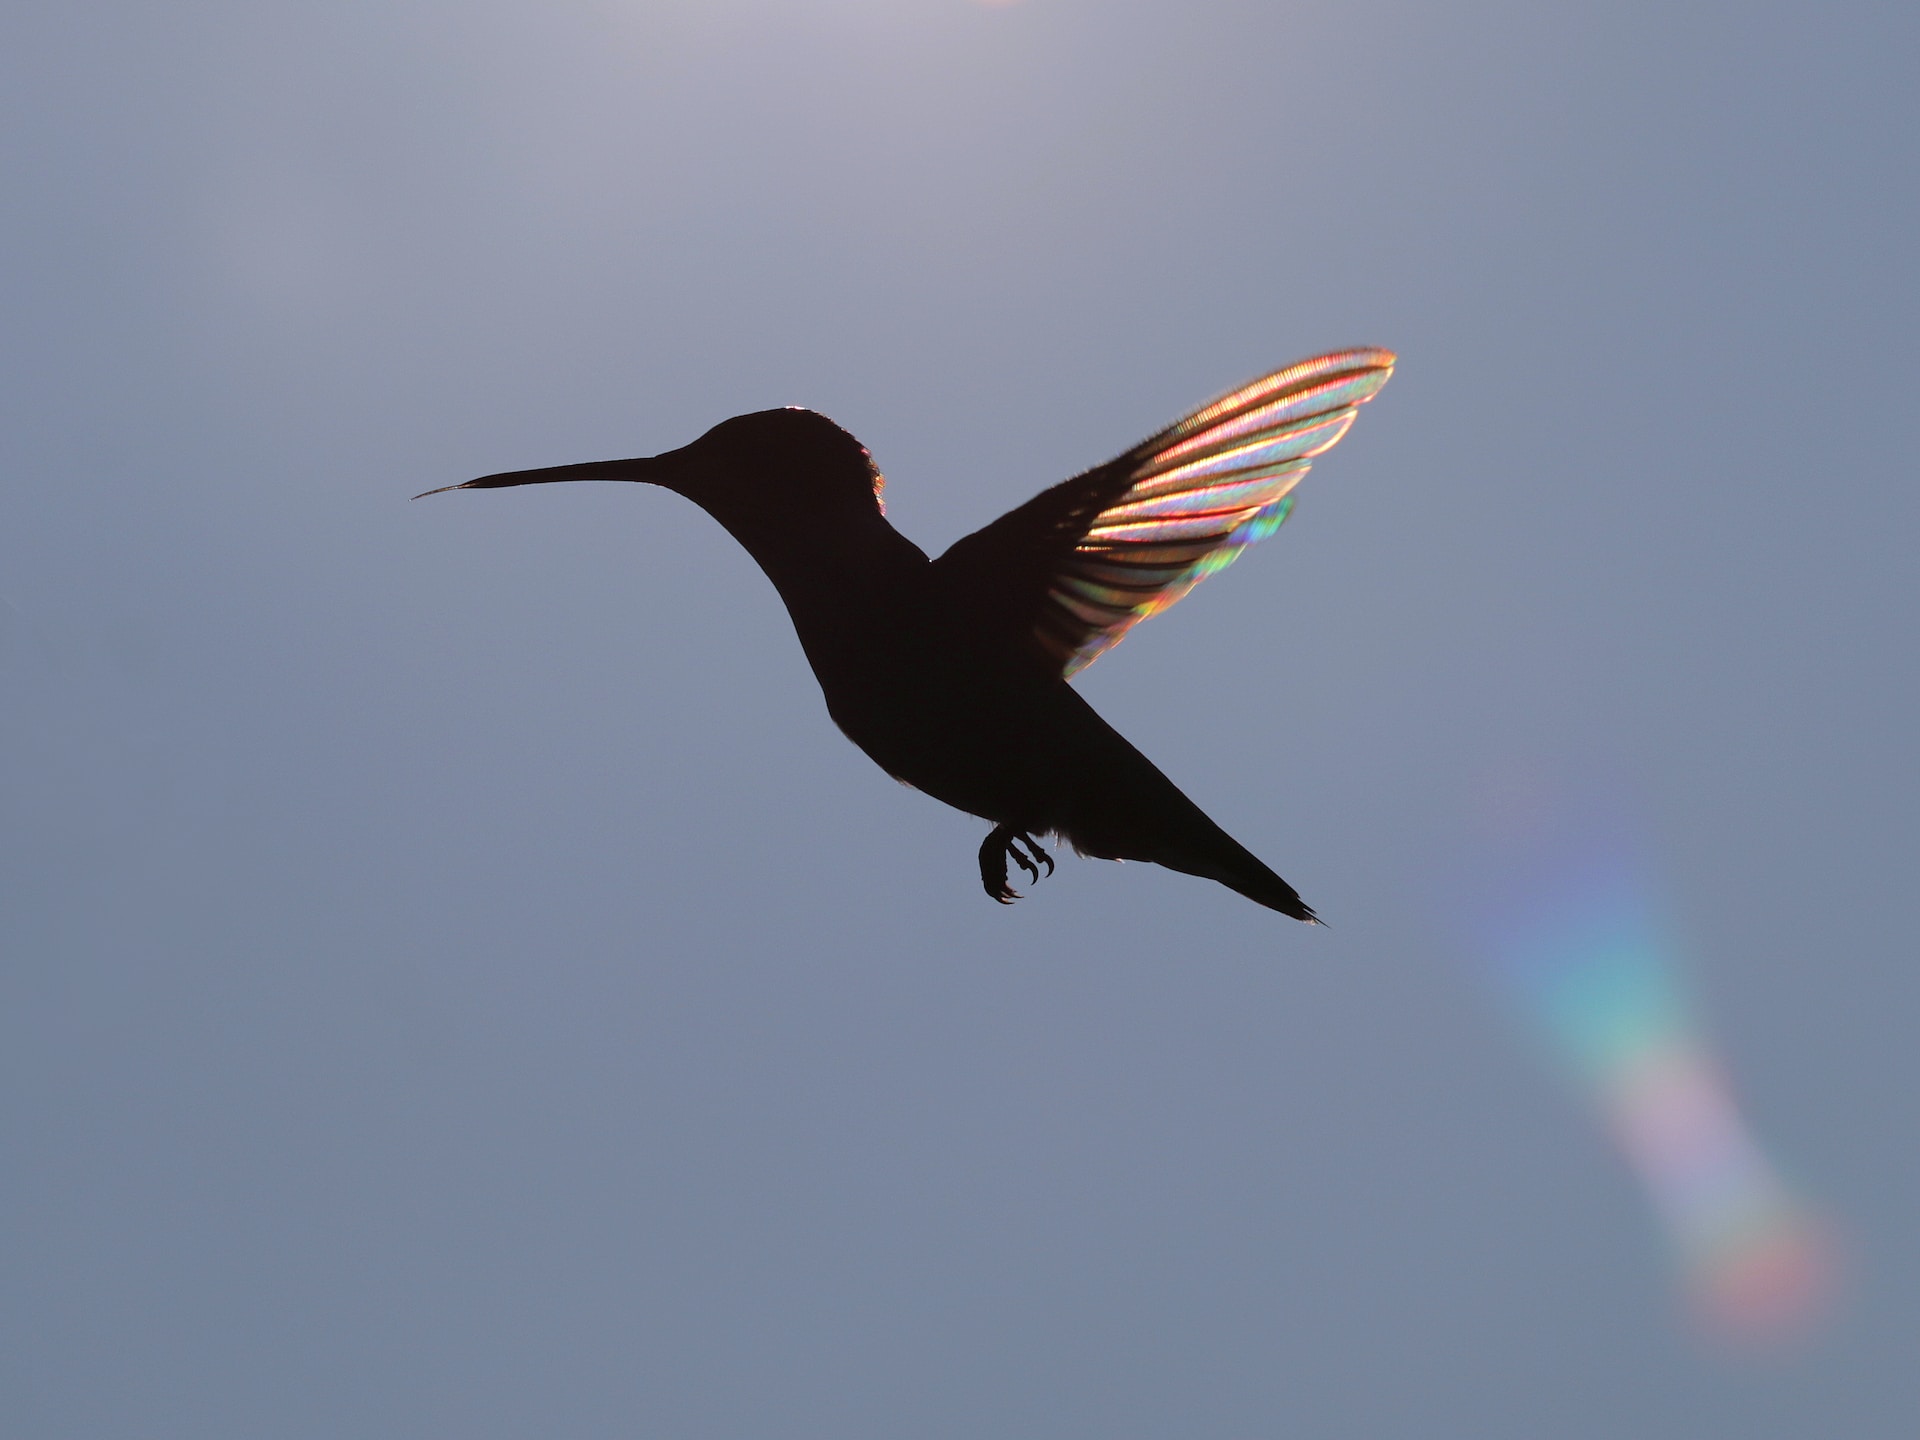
[(953, 673)]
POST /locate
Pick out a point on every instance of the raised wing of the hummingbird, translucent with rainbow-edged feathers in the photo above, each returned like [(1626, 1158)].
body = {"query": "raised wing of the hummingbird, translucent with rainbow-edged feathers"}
[(1080, 565)]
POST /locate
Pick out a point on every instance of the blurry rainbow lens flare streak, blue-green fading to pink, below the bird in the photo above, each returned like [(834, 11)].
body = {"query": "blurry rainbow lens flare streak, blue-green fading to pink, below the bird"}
[(1589, 959)]
